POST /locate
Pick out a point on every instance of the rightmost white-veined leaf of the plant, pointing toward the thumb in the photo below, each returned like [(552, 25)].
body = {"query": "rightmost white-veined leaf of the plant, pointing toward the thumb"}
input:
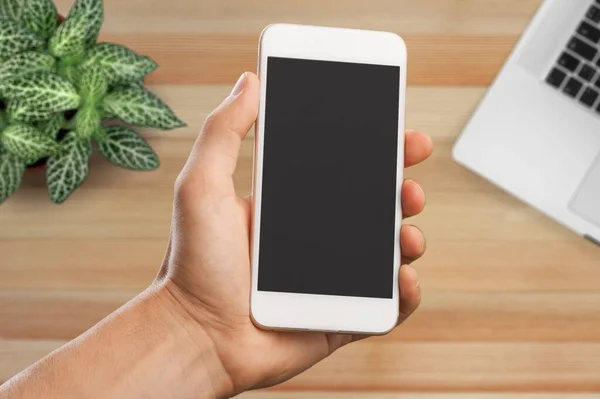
[(140, 107)]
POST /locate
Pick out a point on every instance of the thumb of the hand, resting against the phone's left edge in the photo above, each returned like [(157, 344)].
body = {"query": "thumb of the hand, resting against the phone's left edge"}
[(215, 153)]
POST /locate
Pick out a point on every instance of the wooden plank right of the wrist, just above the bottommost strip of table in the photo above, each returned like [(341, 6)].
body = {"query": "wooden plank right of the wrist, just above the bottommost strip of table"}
[(438, 367)]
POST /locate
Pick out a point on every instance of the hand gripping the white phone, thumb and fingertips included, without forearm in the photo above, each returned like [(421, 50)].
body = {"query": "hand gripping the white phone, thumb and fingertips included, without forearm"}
[(206, 271)]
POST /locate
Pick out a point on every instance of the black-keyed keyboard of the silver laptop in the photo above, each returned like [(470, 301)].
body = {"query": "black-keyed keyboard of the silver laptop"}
[(577, 70)]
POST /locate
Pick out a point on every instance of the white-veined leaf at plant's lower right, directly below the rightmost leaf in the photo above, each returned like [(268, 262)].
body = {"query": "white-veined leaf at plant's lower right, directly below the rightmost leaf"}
[(127, 149)]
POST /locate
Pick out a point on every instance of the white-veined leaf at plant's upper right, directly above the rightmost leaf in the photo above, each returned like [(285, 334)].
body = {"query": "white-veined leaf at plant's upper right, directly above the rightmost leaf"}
[(120, 64)]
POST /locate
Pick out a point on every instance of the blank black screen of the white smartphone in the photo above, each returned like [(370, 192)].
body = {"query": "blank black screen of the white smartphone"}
[(327, 222)]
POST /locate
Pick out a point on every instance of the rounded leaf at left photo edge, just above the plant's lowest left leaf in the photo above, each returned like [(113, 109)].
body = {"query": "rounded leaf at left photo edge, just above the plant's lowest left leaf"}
[(27, 142)]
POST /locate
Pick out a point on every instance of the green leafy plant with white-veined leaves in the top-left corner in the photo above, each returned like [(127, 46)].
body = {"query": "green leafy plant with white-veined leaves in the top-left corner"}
[(61, 91)]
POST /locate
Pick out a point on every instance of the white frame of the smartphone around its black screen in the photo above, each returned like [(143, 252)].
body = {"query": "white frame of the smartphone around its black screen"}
[(305, 312)]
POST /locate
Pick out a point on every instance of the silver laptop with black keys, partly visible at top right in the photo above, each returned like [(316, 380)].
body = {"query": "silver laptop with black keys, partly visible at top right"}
[(536, 133)]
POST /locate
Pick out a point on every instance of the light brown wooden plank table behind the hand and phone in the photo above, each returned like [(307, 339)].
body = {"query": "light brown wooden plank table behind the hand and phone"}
[(511, 301)]
